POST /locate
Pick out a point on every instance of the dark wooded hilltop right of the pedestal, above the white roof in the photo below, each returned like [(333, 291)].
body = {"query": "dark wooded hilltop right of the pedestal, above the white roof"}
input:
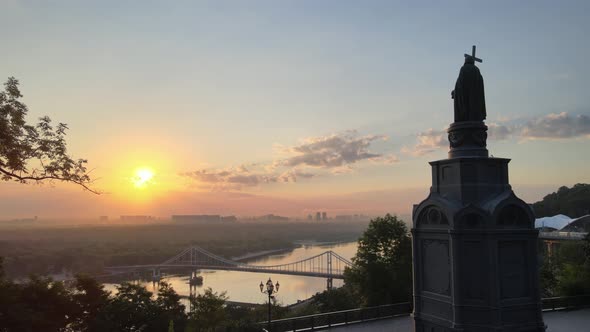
[(573, 202)]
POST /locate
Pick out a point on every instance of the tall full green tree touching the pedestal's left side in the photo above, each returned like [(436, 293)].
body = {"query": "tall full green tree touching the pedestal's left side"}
[(382, 268)]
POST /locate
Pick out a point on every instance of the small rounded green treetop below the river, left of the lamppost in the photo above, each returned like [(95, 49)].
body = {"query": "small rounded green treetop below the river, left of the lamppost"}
[(208, 310)]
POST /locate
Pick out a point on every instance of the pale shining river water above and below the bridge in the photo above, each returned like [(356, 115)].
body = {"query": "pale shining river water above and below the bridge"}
[(243, 286)]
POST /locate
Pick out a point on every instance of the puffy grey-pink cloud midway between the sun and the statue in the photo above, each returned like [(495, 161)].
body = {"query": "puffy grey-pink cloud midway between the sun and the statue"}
[(332, 151)]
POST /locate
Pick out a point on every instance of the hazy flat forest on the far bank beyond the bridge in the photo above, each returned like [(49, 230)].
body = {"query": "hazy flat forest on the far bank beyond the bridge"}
[(88, 249)]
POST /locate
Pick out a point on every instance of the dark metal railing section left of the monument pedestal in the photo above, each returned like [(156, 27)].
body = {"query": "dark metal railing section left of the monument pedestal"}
[(338, 318)]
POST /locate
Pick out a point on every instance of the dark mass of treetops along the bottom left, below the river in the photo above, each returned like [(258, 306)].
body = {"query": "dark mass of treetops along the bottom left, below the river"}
[(41, 304)]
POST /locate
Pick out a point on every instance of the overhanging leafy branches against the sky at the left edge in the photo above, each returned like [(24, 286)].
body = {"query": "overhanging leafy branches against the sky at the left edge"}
[(34, 153)]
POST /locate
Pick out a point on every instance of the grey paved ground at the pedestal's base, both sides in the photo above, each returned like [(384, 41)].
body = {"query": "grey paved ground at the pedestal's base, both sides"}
[(556, 321)]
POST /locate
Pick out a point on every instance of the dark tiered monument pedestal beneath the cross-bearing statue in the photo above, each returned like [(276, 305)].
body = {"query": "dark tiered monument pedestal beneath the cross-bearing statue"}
[(474, 245)]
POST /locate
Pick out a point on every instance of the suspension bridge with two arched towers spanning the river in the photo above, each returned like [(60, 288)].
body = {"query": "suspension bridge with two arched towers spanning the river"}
[(326, 265)]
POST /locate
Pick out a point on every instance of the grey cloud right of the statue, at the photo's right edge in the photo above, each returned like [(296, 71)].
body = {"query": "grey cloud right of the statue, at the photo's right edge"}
[(557, 126)]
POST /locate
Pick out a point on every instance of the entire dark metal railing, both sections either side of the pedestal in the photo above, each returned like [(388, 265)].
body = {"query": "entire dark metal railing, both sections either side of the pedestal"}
[(353, 316)]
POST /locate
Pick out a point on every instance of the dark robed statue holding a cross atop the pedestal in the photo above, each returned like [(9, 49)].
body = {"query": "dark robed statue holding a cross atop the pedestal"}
[(468, 95)]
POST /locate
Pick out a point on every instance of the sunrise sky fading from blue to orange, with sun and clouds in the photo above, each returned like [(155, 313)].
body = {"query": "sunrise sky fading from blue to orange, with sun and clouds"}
[(289, 107)]
